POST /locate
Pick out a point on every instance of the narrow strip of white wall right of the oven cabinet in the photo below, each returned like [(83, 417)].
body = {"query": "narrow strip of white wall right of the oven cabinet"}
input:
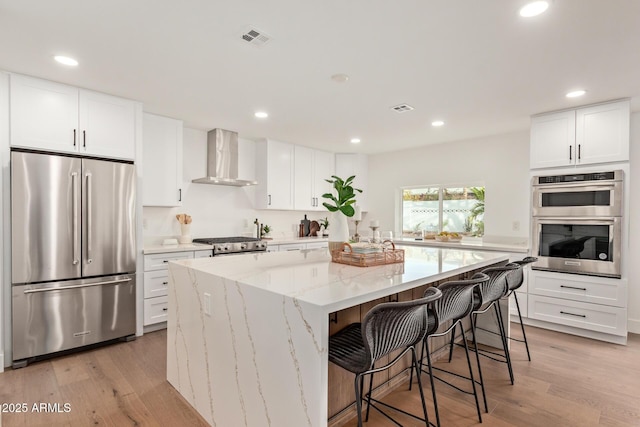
[(633, 180)]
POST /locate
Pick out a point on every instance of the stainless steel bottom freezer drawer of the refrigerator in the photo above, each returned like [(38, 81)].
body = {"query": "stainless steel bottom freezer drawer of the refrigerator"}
[(60, 316)]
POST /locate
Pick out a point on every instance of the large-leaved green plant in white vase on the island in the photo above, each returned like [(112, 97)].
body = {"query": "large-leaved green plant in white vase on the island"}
[(340, 205)]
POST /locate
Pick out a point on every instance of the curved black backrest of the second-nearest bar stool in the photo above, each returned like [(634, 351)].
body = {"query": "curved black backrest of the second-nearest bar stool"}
[(457, 300)]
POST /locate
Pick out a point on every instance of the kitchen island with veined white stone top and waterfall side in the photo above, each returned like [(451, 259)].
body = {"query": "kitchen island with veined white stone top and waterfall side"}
[(247, 335)]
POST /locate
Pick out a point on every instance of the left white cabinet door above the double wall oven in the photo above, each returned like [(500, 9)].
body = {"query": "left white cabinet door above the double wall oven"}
[(552, 140)]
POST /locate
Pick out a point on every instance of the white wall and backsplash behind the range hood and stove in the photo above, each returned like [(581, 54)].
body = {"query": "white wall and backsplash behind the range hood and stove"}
[(217, 211)]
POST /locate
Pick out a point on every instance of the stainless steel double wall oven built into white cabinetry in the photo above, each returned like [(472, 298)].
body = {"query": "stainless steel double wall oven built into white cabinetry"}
[(577, 221)]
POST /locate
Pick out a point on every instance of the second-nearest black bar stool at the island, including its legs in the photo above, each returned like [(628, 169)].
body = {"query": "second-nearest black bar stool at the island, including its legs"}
[(455, 304)]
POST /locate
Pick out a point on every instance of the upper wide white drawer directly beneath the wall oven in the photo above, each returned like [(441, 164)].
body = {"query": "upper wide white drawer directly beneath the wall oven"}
[(598, 290)]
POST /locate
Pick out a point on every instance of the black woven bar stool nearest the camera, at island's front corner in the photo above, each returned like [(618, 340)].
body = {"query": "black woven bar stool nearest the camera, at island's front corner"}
[(385, 328)]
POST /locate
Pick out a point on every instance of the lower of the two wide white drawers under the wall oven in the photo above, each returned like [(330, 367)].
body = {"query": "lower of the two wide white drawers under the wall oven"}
[(594, 317)]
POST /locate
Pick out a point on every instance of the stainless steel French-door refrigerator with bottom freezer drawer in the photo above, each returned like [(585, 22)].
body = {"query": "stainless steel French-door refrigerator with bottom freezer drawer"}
[(73, 252)]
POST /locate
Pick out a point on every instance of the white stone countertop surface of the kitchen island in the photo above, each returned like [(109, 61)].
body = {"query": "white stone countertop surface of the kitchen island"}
[(311, 277)]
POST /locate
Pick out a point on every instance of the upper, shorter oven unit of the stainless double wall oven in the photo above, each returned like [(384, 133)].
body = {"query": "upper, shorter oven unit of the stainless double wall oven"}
[(584, 195)]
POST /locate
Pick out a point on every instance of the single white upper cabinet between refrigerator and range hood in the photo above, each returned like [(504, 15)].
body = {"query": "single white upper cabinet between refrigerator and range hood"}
[(162, 161)]
